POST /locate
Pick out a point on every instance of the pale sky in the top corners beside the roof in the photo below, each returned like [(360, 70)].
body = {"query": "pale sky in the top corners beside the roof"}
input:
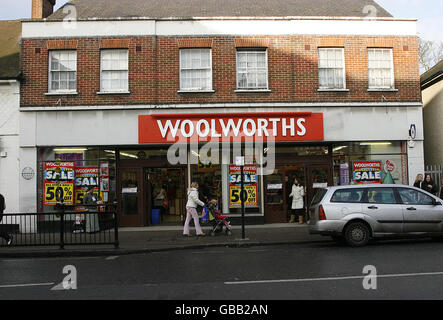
[(428, 12)]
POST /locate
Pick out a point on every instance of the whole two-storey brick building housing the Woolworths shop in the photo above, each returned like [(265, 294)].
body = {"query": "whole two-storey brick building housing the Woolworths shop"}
[(318, 86)]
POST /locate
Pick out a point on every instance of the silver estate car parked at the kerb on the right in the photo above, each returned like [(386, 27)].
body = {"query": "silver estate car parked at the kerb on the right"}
[(361, 212)]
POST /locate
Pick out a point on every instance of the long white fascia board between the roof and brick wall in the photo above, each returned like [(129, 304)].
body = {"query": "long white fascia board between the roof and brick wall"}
[(217, 27)]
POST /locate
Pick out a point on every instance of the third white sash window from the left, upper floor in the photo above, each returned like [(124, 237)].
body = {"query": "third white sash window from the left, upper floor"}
[(195, 70)]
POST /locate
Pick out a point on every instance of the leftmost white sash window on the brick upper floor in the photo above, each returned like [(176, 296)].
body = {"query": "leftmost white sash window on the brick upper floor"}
[(62, 71)]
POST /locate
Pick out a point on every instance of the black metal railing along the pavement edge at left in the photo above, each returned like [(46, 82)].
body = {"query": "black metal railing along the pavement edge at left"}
[(65, 227)]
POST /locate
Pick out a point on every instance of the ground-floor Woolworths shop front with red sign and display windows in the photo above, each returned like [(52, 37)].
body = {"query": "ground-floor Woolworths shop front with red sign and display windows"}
[(146, 168)]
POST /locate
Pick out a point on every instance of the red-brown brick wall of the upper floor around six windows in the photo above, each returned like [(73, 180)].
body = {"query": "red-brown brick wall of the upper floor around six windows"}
[(154, 70)]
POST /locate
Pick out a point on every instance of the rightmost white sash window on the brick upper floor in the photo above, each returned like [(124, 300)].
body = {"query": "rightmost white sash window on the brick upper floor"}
[(381, 70)]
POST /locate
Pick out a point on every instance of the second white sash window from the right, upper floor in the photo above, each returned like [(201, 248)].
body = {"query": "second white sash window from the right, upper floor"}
[(331, 68)]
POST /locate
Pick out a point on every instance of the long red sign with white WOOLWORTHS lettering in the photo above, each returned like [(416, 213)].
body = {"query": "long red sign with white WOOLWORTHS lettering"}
[(170, 128)]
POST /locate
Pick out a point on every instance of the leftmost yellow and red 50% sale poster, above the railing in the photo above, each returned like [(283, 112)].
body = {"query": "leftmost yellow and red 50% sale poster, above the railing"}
[(59, 183)]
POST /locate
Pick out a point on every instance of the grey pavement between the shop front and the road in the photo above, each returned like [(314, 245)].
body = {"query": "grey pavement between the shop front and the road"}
[(157, 239)]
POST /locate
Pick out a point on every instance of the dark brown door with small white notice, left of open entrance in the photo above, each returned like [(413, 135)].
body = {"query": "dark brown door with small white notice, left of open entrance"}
[(130, 205)]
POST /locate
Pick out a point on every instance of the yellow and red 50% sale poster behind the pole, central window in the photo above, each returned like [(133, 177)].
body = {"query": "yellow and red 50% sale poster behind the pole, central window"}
[(250, 186)]
